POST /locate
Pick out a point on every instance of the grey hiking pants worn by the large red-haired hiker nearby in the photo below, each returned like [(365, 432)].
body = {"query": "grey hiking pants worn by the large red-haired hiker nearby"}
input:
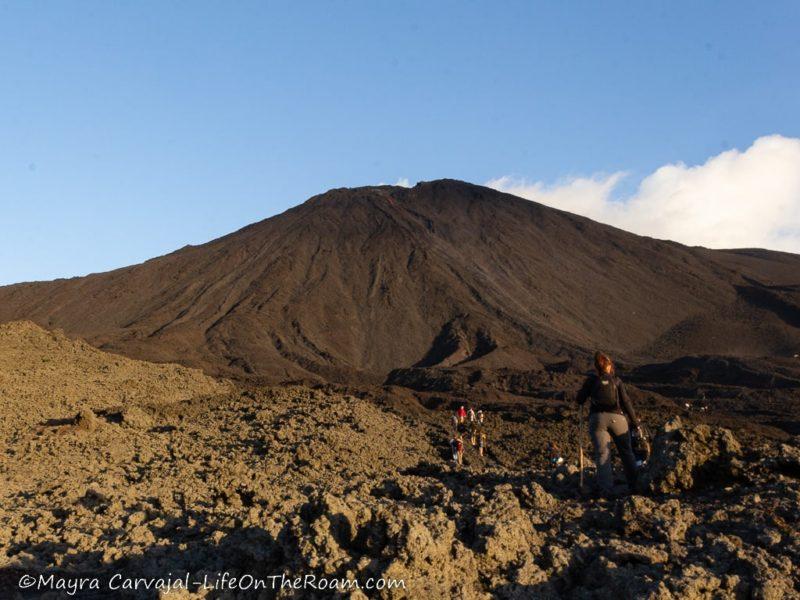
[(604, 427)]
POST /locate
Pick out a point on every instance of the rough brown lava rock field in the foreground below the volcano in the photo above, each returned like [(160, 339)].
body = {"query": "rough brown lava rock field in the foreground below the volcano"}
[(298, 481)]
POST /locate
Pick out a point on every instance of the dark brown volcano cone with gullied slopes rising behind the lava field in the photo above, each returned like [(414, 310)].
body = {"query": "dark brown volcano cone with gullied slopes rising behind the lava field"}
[(356, 282)]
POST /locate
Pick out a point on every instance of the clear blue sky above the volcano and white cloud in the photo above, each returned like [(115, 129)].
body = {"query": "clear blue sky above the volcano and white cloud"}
[(129, 129)]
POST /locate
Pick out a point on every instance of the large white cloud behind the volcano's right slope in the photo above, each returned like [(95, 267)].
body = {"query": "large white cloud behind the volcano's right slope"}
[(733, 200)]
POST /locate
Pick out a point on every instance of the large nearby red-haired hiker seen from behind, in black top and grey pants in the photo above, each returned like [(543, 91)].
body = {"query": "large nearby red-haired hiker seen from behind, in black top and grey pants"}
[(607, 410)]
